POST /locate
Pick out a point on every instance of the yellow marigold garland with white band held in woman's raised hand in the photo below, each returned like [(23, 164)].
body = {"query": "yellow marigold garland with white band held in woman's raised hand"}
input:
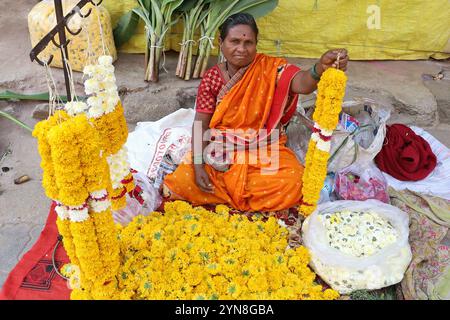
[(331, 91)]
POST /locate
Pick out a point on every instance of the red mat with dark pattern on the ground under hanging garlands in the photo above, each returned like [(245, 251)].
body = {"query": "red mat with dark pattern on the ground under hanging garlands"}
[(34, 277)]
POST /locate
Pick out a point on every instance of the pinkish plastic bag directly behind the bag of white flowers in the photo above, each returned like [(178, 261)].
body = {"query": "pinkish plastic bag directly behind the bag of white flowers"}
[(361, 181)]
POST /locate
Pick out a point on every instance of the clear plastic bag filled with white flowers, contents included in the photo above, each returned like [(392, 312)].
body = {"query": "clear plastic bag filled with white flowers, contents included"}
[(358, 245)]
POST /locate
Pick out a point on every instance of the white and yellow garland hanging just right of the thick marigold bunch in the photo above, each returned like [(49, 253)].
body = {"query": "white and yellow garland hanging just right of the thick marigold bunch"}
[(107, 115)]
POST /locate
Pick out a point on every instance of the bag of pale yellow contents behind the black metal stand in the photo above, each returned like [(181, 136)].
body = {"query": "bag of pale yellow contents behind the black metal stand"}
[(42, 19)]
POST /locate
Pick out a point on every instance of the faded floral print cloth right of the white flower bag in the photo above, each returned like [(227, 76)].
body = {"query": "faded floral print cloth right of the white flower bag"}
[(428, 276)]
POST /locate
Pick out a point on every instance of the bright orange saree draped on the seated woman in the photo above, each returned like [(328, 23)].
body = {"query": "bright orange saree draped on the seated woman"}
[(268, 179)]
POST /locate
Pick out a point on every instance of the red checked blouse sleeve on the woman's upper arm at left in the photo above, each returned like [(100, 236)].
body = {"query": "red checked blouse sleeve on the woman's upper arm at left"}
[(208, 91)]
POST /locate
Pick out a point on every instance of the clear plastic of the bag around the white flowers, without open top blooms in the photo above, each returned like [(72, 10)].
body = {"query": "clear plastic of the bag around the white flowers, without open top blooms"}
[(346, 273)]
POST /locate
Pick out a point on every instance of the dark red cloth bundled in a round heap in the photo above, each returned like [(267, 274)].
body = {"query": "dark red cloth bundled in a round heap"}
[(405, 155)]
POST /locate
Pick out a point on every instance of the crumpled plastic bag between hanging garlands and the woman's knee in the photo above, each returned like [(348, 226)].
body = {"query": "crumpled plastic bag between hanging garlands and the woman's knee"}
[(143, 200)]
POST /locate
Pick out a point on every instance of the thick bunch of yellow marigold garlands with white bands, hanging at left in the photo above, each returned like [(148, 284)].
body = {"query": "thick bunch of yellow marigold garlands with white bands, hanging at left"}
[(72, 162)]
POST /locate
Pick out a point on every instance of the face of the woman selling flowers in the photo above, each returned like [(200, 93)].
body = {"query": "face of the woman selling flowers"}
[(239, 47)]
